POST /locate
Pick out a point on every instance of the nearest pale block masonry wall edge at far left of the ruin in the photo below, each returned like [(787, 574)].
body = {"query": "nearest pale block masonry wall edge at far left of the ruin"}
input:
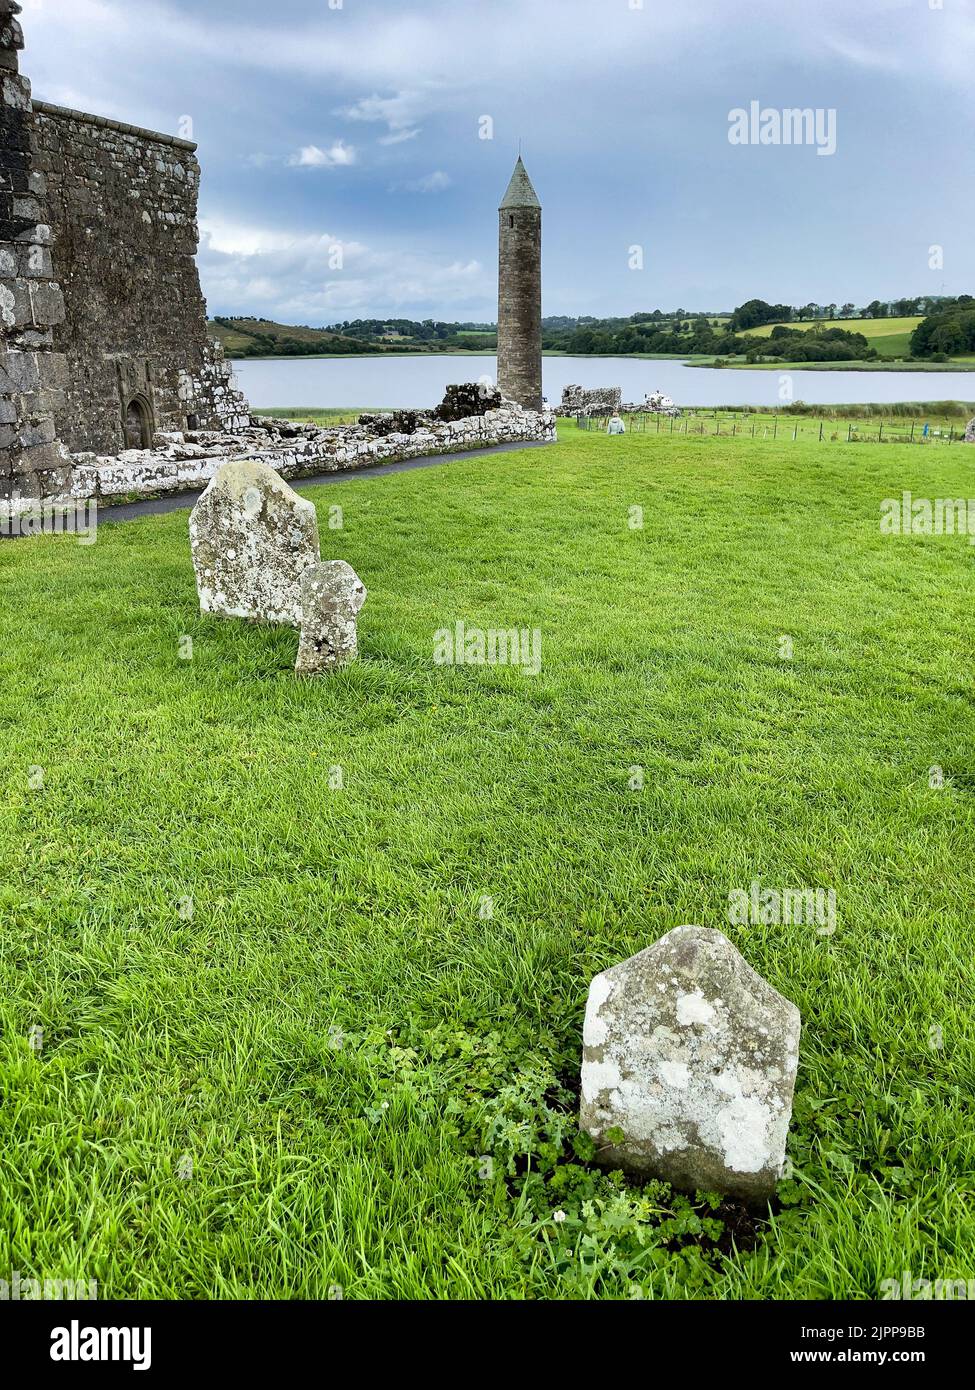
[(33, 375)]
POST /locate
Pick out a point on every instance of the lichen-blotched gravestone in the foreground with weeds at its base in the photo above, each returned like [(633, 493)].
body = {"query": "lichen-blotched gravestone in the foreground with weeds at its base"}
[(693, 1057)]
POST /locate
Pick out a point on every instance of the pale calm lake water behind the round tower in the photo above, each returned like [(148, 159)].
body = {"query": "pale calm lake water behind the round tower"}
[(419, 382)]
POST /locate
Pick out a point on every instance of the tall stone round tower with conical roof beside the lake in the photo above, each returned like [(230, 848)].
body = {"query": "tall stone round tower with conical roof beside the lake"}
[(519, 294)]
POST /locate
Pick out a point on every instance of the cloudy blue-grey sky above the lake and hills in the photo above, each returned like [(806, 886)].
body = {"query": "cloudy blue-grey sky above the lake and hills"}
[(360, 123)]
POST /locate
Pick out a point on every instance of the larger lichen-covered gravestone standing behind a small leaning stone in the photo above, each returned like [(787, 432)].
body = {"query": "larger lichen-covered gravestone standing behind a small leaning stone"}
[(252, 539)]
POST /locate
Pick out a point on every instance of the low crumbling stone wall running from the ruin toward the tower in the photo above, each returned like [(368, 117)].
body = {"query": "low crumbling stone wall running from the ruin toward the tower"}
[(188, 461)]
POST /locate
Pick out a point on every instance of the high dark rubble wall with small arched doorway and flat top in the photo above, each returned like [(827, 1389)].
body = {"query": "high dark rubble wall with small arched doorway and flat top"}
[(123, 211)]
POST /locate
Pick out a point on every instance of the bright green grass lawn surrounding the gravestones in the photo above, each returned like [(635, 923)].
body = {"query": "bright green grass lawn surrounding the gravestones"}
[(289, 1047)]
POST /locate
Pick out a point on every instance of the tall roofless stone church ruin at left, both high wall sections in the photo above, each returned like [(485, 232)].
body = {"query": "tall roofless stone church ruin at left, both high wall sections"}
[(105, 337)]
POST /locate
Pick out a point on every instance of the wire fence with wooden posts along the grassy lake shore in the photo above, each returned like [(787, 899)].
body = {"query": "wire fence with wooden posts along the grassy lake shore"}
[(781, 427)]
